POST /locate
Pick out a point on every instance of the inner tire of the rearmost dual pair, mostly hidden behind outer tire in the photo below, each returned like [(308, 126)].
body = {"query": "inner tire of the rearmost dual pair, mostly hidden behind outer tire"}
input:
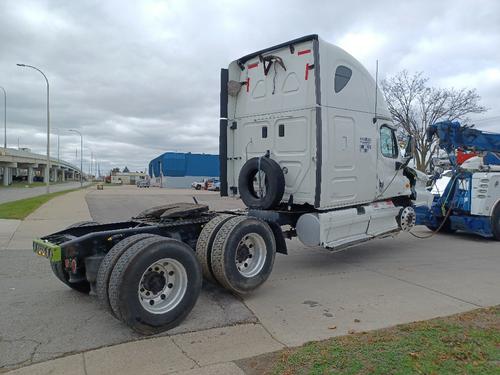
[(107, 265)]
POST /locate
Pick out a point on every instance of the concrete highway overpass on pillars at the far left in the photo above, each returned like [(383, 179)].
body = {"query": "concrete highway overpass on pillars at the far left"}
[(15, 162)]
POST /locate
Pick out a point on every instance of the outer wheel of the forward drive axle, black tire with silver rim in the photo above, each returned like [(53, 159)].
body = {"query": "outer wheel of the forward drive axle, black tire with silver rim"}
[(243, 254)]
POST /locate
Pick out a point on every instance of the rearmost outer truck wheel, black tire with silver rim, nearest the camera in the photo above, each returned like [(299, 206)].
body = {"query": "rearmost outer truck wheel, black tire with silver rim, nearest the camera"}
[(155, 284)]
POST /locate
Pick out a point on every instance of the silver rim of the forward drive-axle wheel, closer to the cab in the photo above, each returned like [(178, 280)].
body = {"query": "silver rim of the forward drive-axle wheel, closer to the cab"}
[(250, 255)]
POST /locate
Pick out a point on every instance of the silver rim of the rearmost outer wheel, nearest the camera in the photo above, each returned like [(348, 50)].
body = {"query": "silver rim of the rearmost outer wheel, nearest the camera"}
[(162, 286)]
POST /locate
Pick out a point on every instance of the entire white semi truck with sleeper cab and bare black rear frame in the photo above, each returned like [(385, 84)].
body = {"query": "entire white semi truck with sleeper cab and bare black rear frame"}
[(306, 141)]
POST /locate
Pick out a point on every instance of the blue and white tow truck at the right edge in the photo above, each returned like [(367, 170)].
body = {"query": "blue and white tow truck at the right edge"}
[(471, 200)]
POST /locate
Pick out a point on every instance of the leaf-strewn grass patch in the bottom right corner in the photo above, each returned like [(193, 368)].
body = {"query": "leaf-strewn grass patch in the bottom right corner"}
[(467, 343)]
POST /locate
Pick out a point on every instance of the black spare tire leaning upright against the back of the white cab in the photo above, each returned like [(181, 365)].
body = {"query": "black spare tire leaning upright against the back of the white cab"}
[(273, 183)]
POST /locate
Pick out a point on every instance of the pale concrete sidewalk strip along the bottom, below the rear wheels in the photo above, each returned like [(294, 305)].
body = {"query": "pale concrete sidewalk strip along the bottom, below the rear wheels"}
[(204, 352)]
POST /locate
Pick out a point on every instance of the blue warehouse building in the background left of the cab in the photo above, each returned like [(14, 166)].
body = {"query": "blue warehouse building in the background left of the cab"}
[(179, 170)]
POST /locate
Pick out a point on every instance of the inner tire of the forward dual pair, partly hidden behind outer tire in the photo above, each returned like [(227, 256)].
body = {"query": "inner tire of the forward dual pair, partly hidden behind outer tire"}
[(205, 243)]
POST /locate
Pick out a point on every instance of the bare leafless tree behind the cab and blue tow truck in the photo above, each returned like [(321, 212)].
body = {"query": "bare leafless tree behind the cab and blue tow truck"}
[(414, 106)]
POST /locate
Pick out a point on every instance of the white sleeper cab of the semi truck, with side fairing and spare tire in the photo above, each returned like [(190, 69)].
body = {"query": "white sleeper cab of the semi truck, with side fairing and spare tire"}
[(310, 118)]
